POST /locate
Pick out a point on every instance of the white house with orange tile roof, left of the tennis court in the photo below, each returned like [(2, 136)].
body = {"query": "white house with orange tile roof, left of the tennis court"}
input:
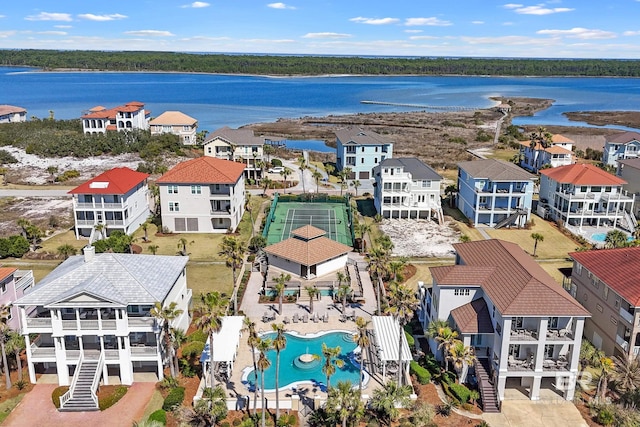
[(202, 195)]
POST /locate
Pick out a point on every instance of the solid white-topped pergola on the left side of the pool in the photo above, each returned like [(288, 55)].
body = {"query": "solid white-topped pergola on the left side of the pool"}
[(225, 343)]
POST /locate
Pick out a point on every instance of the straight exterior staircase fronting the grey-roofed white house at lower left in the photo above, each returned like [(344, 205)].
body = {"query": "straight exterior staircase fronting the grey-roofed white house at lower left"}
[(82, 395)]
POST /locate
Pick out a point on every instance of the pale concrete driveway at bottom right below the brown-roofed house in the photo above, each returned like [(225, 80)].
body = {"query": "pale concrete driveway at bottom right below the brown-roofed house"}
[(543, 413)]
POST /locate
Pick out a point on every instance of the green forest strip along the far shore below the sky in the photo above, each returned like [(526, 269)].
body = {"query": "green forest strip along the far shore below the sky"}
[(314, 65)]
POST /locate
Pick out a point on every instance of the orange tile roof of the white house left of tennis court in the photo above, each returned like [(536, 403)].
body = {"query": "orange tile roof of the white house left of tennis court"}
[(204, 170)]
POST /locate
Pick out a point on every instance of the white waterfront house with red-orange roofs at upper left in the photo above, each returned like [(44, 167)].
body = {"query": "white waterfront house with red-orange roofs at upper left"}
[(125, 117)]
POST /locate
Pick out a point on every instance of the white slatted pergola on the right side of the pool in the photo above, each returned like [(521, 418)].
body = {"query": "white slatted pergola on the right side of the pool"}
[(386, 329)]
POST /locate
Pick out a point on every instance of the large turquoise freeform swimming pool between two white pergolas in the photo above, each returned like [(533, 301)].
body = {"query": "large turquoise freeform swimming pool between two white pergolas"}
[(293, 372)]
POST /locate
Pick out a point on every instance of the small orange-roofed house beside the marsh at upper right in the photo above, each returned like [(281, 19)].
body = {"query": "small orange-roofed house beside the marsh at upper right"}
[(536, 157)]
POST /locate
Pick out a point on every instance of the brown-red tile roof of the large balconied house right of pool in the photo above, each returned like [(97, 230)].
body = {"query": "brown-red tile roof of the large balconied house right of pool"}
[(518, 286)]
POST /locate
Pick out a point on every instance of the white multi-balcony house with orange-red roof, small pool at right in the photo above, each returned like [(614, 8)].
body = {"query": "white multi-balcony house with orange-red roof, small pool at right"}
[(582, 195)]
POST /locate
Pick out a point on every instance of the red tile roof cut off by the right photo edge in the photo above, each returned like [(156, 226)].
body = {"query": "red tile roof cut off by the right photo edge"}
[(618, 268)]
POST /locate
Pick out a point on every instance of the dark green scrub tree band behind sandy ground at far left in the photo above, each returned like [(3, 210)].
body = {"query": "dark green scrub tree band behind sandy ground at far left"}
[(59, 138)]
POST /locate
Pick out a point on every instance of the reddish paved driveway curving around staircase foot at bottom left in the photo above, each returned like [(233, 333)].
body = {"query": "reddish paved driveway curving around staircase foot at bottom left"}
[(36, 409)]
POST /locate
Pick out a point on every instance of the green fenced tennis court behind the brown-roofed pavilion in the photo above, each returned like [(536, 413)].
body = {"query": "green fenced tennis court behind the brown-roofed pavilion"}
[(288, 216)]
